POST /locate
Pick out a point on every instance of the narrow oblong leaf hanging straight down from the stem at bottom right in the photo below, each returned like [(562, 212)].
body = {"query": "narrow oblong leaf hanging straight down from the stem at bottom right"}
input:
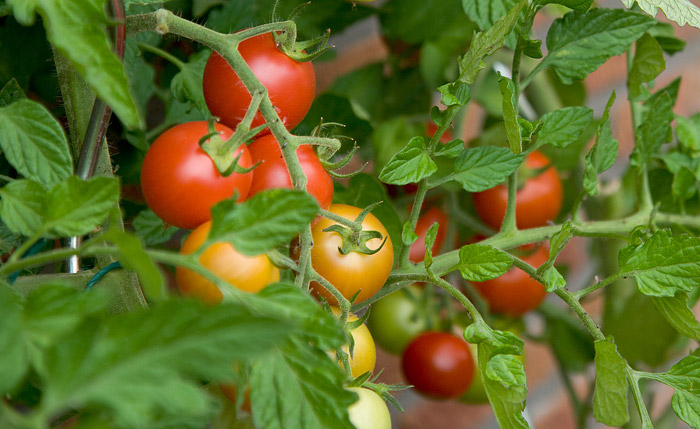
[(611, 386)]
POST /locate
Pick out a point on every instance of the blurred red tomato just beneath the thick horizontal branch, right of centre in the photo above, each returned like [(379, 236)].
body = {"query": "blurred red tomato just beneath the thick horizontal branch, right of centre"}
[(515, 293)]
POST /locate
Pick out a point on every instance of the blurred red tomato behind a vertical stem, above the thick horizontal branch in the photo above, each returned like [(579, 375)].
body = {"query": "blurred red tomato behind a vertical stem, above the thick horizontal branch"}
[(538, 201)]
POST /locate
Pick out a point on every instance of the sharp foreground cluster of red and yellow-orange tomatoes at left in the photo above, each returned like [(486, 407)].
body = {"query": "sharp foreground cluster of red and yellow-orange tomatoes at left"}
[(181, 183)]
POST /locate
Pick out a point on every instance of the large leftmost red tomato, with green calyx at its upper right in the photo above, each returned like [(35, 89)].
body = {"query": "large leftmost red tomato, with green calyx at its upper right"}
[(180, 181)]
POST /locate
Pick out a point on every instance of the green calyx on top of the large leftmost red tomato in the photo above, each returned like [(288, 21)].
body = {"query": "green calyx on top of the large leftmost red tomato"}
[(222, 151)]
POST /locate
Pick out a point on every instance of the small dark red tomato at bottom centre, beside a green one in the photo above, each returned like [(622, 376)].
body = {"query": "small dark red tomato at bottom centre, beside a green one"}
[(438, 364)]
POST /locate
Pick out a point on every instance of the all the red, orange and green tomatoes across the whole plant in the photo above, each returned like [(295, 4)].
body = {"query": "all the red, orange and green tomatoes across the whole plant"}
[(181, 183)]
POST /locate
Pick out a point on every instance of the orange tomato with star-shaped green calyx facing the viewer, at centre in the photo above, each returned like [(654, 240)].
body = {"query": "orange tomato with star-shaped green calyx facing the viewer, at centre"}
[(354, 271)]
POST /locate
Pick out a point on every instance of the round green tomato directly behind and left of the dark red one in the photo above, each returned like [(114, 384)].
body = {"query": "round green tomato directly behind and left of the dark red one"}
[(395, 320)]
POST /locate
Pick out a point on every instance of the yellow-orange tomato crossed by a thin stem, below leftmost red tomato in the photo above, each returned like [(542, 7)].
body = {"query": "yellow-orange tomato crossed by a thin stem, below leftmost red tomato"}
[(246, 273)]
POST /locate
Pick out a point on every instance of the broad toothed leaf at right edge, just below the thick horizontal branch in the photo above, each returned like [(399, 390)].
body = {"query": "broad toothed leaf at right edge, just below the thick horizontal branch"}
[(663, 264)]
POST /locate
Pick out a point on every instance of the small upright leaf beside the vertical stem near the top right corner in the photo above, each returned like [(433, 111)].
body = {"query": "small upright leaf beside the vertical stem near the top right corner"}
[(648, 63)]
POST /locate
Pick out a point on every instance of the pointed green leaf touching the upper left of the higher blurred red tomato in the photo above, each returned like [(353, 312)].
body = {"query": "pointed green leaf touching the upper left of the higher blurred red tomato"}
[(484, 167)]
